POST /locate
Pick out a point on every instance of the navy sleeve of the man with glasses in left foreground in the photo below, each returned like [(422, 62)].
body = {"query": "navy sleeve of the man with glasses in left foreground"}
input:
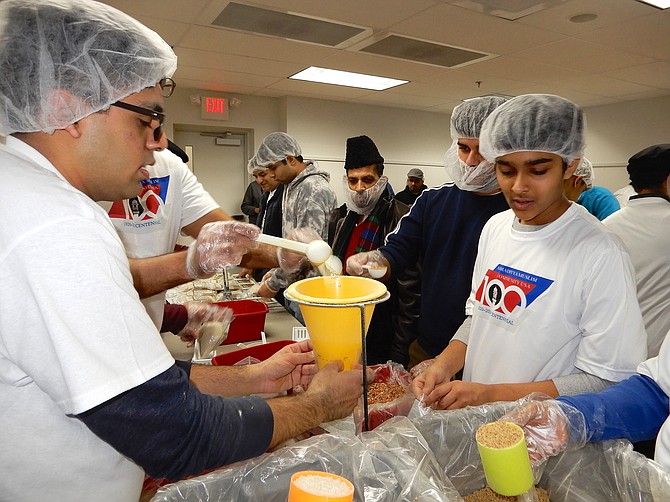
[(172, 430)]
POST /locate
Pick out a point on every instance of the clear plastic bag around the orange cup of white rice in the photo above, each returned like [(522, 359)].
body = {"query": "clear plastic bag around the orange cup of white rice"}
[(385, 465)]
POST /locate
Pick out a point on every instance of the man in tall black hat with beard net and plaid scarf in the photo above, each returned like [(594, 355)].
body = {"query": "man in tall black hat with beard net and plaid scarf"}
[(372, 213)]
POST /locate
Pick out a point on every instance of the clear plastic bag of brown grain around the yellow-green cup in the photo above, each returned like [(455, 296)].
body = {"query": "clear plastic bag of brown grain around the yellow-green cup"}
[(610, 470)]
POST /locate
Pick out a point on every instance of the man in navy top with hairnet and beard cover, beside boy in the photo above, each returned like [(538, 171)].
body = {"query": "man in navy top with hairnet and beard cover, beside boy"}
[(441, 232)]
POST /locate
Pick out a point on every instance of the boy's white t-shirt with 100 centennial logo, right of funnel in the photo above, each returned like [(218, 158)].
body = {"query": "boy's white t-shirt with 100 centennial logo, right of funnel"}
[(549, 301)]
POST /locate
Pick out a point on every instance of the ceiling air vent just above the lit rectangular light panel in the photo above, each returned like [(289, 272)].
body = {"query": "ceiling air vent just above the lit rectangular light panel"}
[(423, 52)]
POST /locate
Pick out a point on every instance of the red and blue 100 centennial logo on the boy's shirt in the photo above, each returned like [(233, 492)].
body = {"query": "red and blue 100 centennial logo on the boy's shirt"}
[(505, 292)]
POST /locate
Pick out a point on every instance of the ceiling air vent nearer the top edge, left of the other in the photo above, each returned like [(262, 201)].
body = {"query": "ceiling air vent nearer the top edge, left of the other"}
[(279, 24)]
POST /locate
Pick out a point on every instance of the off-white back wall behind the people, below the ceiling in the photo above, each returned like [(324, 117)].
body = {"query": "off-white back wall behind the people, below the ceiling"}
[(408, 138)]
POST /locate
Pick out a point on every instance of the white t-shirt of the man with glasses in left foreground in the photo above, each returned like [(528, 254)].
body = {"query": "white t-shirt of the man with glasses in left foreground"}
[(73, 335)]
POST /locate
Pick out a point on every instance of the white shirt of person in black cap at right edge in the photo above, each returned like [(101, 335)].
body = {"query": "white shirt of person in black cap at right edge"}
[(644, 227)]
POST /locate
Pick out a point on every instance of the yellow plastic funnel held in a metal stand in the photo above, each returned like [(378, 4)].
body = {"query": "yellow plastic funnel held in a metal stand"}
[(335, 328)]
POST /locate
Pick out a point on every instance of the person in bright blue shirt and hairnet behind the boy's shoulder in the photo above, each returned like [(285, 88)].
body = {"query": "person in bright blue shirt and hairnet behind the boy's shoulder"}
[(597, 200)]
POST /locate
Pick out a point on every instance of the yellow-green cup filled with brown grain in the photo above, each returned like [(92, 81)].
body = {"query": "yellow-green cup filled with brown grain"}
[(502, 448)]
